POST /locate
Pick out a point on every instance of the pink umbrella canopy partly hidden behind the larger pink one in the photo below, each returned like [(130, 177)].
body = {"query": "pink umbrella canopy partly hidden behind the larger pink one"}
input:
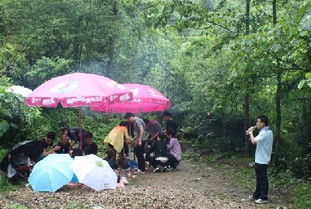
[(145, 99)]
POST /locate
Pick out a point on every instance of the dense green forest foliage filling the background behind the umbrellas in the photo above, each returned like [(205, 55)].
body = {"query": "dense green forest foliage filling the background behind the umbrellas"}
[(196, 52)]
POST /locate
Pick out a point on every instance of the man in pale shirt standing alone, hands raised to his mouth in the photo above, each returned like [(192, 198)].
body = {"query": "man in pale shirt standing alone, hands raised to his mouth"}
[(264, 142)]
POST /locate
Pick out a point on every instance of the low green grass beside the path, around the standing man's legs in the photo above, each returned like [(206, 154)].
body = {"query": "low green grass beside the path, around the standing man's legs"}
[(292, 190)]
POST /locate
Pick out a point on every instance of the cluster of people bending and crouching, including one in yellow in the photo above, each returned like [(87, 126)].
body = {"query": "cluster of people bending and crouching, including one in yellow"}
[(160, 148)]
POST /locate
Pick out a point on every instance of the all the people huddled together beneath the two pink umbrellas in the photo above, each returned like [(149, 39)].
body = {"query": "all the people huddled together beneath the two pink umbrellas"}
[(151, 144)]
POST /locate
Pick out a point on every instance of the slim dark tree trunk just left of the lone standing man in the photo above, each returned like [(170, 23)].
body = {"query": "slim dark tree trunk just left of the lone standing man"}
[(246, 96)]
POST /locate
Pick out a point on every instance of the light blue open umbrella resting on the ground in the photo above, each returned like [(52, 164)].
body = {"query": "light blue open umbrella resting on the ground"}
[(51, 173)]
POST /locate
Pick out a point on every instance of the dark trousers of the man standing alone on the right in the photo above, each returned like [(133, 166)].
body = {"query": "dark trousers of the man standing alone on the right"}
[(262, 184)]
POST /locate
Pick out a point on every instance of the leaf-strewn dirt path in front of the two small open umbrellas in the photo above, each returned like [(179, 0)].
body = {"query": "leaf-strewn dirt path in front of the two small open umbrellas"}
[(190, 186)]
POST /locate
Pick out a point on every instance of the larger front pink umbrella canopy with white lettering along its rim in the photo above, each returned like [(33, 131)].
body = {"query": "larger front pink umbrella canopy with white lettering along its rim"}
[(78, 89)]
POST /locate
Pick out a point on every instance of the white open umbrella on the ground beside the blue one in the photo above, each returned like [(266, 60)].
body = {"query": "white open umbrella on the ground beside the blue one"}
[(94, 172)]
